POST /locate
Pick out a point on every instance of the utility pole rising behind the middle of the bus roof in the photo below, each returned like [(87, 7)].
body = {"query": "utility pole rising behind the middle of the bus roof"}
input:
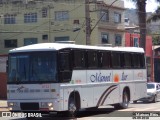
[(88, 27)]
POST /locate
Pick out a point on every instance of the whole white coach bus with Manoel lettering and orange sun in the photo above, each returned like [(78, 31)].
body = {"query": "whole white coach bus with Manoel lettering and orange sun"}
[(68, 77)]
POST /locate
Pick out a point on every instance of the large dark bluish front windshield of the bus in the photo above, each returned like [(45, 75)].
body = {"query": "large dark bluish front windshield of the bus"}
[(37, 67)]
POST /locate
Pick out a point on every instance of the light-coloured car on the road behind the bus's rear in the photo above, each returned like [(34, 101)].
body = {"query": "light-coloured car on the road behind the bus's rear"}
[(153, 93)]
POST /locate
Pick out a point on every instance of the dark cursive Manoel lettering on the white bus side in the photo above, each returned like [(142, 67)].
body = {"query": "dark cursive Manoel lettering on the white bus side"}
[(98, 77)]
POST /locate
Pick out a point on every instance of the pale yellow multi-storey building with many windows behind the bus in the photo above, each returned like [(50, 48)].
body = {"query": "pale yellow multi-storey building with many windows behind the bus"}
[(25, 22)]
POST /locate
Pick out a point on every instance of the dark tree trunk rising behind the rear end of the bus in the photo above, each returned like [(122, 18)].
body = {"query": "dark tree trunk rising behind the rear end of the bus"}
[(141, 7)]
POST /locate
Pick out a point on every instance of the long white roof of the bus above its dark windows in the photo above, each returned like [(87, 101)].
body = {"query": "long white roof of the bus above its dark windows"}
[(59, 46)]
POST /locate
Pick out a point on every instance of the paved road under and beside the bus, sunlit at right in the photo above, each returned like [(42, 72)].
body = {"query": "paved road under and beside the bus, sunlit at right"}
[(108, 113)]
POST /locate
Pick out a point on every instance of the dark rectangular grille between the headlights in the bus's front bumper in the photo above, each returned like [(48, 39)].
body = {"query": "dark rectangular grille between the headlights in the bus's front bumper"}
[(29, 106)]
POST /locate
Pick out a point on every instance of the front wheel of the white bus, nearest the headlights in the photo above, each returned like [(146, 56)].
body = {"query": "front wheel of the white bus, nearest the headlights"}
[(72, 107)]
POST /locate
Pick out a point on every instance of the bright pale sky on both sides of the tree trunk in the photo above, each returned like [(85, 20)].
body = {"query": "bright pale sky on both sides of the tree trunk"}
[(151, 5)]
